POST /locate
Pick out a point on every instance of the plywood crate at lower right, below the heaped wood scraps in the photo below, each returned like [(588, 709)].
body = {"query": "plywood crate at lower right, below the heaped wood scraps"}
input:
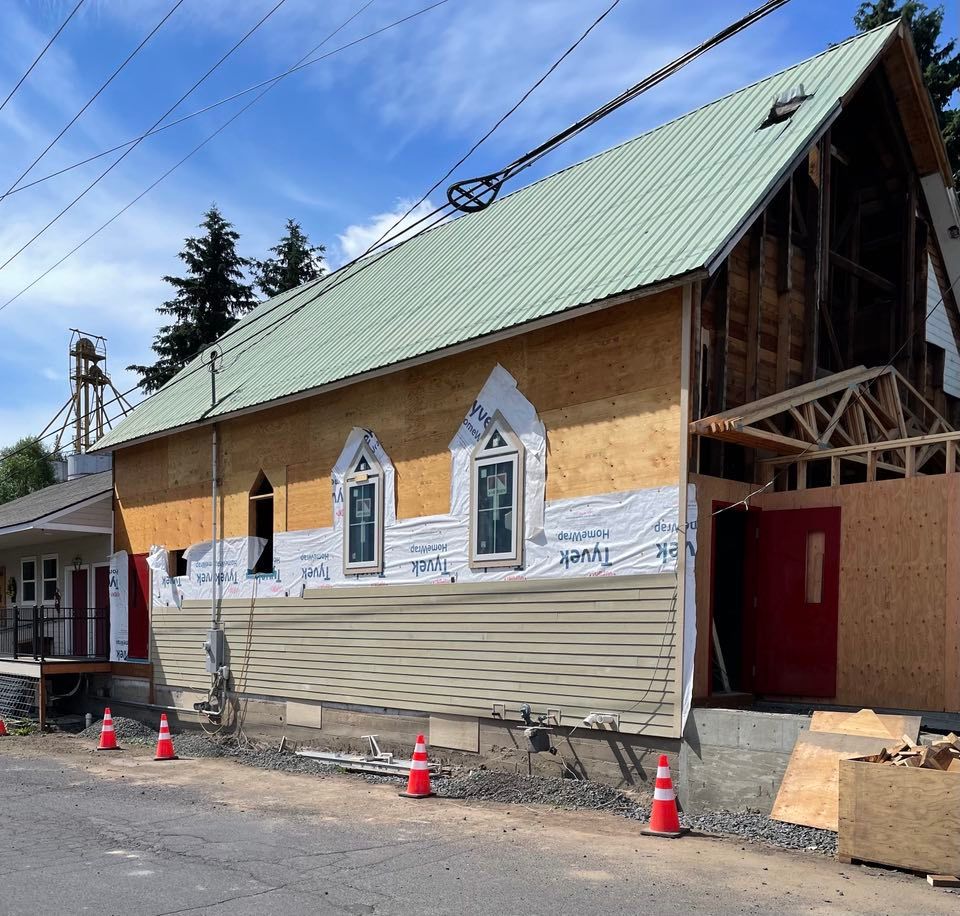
[(900, 816)]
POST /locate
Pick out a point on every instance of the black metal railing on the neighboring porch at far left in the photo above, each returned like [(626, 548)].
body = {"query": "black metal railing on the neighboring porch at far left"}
[(49, 632)]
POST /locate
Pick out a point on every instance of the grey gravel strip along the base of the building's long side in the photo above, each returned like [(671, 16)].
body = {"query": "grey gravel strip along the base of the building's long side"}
[(488, 785)]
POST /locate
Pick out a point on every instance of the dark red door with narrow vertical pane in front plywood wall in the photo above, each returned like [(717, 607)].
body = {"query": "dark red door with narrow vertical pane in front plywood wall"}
[(798, 590)]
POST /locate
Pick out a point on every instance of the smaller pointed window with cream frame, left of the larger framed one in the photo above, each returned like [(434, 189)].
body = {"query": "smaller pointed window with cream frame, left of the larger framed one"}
[(363, 515)]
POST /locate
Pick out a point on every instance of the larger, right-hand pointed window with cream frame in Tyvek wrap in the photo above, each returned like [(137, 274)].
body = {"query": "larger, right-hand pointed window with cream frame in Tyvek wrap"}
[(496, 497)]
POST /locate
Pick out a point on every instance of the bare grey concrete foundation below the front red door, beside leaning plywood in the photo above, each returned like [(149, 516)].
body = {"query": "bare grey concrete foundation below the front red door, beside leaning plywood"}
[(735, 758)]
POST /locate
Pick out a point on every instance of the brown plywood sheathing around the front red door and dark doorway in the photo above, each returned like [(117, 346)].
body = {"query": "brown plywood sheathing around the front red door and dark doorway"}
[(899, 613)]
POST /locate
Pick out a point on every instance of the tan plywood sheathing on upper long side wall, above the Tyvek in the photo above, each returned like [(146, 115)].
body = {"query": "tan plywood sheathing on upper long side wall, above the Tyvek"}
[(606, 385)]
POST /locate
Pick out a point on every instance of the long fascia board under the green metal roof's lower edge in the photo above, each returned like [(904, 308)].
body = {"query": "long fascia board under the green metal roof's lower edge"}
[(433, 356)]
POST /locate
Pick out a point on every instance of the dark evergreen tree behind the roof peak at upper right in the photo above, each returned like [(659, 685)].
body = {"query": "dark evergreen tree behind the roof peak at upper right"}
[(940, 62)]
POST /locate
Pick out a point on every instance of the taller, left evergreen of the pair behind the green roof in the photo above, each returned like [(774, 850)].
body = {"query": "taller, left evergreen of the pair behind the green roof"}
[(209, 300)]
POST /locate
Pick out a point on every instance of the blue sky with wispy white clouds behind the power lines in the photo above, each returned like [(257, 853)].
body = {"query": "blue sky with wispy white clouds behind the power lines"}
[(339, 146)]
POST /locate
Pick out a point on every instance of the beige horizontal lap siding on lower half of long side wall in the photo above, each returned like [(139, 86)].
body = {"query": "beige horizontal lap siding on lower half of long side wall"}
[(605, 644)]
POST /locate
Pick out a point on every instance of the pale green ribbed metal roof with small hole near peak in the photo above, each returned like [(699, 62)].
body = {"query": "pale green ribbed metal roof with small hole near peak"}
[(658, 207)]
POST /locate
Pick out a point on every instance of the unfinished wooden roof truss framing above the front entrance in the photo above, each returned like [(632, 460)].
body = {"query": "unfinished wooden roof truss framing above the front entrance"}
[(874, 416)]
